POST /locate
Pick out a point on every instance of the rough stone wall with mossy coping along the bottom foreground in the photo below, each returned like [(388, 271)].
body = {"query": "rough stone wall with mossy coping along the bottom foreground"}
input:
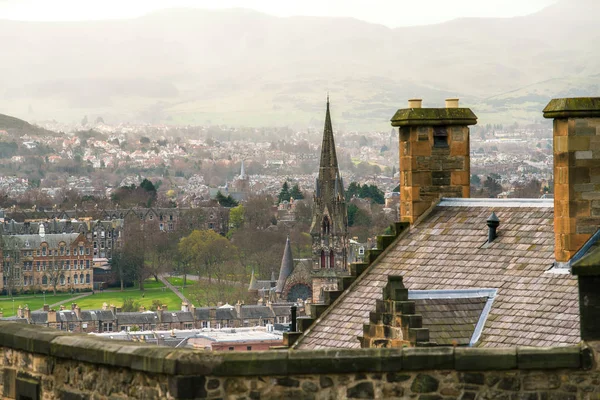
[(46, 364)]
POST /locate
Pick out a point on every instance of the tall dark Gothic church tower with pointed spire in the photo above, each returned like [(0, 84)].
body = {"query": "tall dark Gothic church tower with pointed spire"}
[(329, 228)]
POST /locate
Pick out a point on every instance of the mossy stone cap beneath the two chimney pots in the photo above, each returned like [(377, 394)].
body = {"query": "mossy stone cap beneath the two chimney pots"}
[(433, 117)]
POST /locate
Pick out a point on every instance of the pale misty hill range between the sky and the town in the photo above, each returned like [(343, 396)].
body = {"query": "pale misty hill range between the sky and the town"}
[(240, 67)]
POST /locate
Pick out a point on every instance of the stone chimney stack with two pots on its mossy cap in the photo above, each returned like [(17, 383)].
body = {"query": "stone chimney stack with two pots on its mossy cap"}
[(434, 155)]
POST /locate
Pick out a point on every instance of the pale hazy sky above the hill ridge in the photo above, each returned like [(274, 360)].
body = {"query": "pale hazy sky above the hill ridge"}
[(392, 13)]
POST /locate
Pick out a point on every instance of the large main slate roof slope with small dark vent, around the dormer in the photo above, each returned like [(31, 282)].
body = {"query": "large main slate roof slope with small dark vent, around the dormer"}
[(445, 251)]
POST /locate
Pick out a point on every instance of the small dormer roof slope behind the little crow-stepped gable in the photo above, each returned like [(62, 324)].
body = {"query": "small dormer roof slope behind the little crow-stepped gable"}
[(450, 321)]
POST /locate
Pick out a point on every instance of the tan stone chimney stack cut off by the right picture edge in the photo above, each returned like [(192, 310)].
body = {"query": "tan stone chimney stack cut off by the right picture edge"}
[(576, 172)]
